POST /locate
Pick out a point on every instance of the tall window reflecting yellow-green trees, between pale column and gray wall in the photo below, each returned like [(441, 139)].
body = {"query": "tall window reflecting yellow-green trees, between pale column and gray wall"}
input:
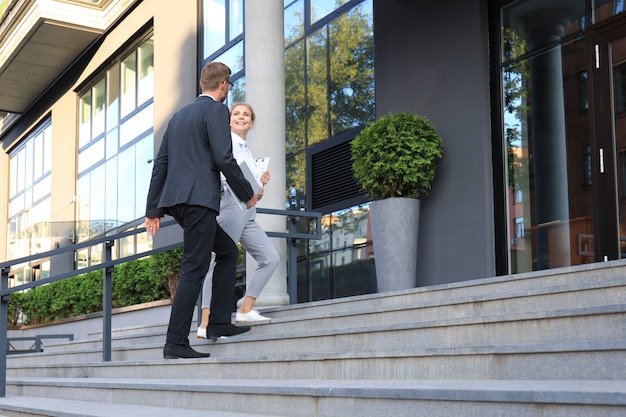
[(329, 89)]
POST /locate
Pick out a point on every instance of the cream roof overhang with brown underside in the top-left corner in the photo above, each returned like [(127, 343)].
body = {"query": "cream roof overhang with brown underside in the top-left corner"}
[(40, 39)]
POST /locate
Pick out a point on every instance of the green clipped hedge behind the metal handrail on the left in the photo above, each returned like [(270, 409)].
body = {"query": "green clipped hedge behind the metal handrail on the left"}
[(134, 282)]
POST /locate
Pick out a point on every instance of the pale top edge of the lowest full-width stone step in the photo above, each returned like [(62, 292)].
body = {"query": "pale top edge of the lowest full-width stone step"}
[(572, 392)]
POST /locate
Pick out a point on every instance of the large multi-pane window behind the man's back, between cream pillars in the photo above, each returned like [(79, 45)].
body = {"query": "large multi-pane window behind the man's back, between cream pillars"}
[(116, 147)]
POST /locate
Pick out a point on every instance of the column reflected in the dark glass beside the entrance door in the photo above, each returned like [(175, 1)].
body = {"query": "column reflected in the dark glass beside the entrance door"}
[(549, 140)]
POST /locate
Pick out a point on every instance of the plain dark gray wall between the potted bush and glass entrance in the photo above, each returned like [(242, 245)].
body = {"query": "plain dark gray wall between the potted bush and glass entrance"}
[(432, 58)]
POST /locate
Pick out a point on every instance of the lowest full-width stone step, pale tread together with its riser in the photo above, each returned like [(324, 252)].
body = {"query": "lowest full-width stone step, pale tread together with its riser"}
[(324, 397)]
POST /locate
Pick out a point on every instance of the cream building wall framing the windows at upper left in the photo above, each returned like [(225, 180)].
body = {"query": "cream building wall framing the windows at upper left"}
[(176, 85)]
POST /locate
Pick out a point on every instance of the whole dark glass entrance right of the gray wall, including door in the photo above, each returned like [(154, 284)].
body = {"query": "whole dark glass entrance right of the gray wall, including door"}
[(562, 175)]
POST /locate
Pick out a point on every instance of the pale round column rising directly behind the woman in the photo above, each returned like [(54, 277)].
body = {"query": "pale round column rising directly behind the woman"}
[(265, 91)]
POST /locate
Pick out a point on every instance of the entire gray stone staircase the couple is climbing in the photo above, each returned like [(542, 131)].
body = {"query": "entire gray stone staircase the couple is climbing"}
[(537, 344)]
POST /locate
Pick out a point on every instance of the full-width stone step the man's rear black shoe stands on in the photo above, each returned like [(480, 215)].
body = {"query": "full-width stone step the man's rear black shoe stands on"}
[(580, 360)]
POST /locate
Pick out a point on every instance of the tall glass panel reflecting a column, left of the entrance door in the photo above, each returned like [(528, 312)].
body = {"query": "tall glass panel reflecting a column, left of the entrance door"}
[(547, 132)]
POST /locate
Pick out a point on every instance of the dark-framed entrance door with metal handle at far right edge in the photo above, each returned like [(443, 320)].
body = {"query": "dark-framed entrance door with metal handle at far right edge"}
[(608, 83)]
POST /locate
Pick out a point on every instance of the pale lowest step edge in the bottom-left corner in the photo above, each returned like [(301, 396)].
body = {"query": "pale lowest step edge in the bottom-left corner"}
[(56, 407)]
